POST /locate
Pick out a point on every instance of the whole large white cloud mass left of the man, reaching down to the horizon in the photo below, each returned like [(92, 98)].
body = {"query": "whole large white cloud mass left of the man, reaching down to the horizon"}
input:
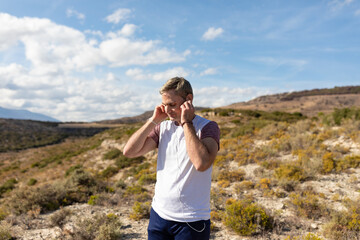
[(57, 76)]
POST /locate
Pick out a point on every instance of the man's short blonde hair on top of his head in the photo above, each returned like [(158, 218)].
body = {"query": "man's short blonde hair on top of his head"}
[(181, 86)]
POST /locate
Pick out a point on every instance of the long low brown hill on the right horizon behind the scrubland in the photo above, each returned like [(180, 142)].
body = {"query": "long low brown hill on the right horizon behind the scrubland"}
[(308, 102)]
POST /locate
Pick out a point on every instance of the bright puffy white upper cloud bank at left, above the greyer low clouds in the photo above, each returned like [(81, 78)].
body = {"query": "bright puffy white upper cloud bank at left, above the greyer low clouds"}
[(53, 48)]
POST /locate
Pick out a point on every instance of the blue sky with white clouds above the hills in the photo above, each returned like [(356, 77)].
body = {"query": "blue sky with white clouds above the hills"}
[(87, 60)]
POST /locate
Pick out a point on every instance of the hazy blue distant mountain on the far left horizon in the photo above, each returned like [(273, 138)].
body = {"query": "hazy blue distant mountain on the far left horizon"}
[(24, 114)]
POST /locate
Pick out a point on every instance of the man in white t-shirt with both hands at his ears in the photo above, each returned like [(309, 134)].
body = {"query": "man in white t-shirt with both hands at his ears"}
[(187, 147)]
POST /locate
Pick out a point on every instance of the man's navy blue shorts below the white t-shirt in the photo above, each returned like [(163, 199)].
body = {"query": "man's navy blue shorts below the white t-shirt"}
[(161, 229)]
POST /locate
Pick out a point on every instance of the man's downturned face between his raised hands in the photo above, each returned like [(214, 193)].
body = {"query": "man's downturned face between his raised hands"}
[(172, 102)]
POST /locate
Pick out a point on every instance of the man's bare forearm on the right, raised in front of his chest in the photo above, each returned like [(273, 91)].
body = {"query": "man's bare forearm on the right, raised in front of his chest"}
[(198, 153)]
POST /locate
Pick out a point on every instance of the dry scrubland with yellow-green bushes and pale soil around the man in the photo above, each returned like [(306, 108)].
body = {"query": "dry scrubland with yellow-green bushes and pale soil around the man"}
[(277, 176)]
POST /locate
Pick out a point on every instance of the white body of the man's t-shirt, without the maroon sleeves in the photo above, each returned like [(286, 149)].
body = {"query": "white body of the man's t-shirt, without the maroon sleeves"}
[(181, 192)]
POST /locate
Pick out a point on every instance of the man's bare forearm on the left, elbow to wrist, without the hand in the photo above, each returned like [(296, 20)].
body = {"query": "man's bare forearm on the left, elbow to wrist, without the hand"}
[(137, 140)]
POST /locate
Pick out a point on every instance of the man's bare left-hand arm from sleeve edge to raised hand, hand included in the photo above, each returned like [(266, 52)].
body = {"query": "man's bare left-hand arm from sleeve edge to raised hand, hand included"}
[(139, 143)]
